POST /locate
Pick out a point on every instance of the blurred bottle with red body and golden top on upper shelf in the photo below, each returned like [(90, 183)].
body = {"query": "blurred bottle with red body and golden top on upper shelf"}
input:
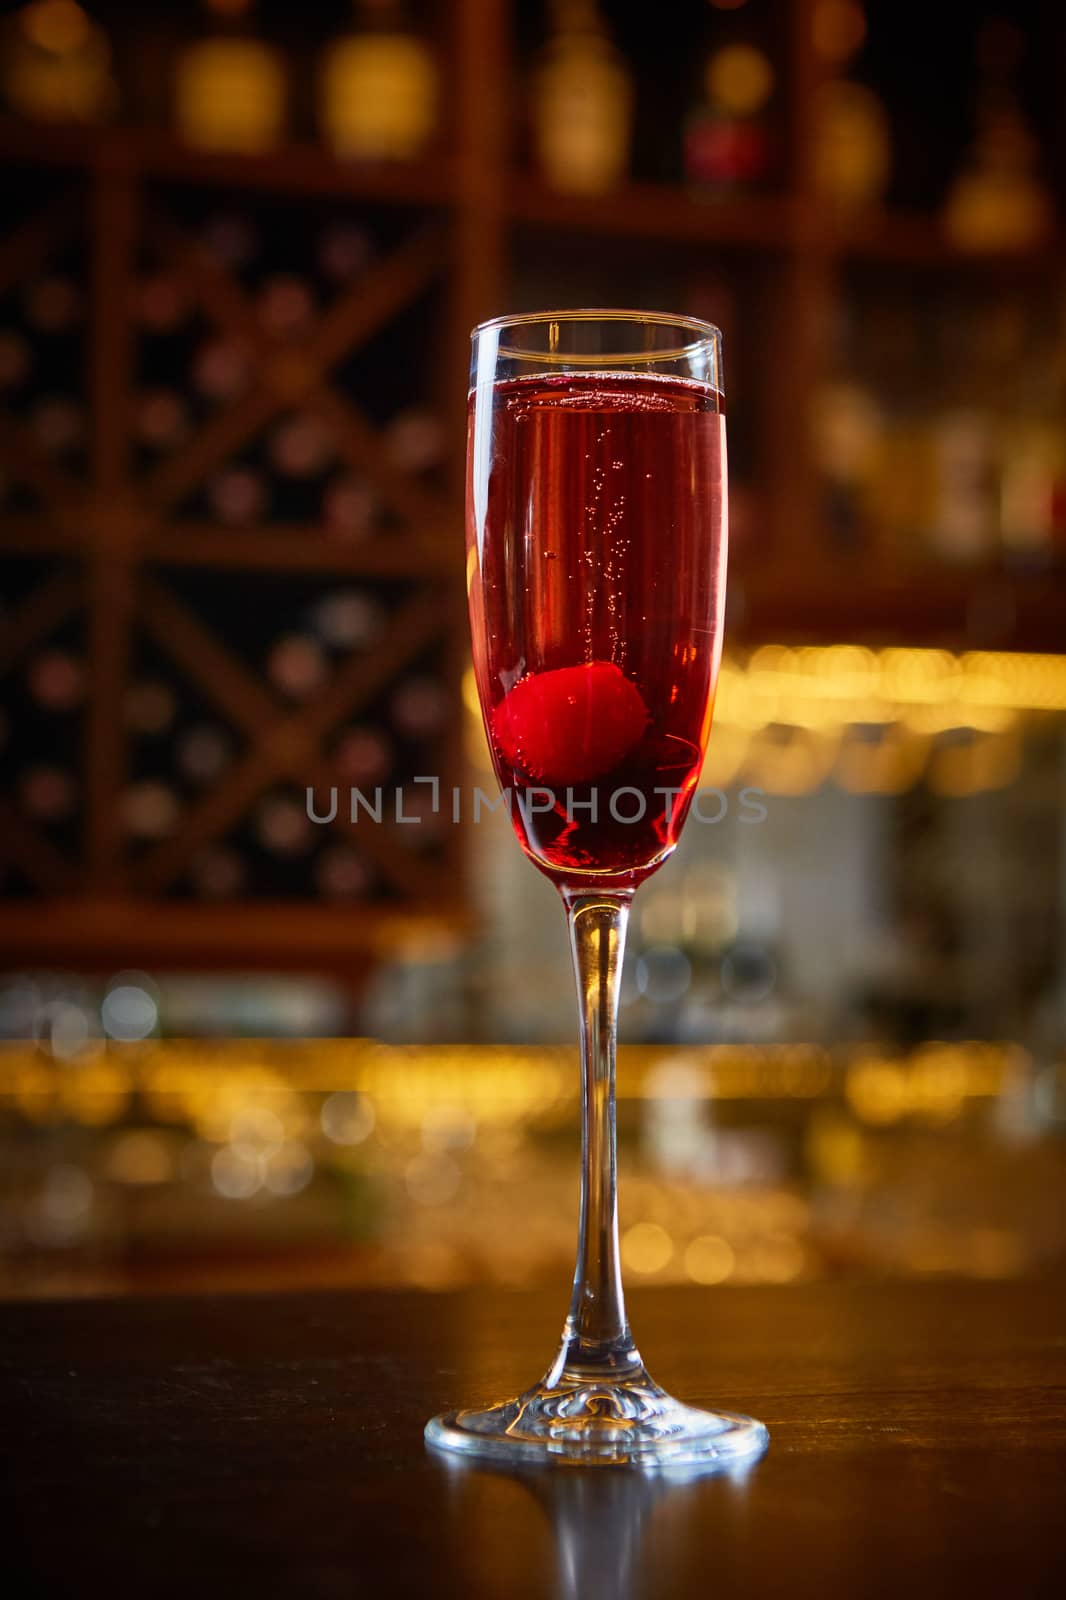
[(727, 138)]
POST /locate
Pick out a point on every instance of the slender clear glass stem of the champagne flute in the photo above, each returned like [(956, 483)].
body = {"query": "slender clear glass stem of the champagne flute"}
[(596, 1340)]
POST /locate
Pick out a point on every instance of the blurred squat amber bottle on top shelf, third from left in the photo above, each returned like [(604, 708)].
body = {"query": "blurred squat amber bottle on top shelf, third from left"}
[(379, 89)]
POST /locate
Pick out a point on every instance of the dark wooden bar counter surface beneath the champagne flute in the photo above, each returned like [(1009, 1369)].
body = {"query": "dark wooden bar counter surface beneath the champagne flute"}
[(271, 1446)]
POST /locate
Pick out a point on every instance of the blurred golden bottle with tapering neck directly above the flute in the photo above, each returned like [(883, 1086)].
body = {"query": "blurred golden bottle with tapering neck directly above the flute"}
[(582, 106)]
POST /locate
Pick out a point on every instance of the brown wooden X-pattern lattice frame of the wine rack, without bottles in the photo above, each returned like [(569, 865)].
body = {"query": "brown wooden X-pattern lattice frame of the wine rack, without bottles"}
[(126, 548)]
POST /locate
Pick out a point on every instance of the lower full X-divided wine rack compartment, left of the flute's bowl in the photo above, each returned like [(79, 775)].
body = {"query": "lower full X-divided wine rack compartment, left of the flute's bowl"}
[(249, 743)]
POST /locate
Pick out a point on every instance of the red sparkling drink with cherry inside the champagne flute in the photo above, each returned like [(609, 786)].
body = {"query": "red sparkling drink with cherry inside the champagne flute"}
[(596, 532)]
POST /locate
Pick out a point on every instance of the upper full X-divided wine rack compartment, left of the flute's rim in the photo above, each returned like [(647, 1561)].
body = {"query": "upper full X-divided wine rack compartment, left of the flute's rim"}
[(279, 372)]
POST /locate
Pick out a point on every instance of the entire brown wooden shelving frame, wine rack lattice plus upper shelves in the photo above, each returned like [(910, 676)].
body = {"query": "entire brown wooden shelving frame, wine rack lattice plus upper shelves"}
[(119, 534)]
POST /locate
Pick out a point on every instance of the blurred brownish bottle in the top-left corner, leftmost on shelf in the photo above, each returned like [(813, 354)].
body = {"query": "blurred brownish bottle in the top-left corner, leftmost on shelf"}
[(55, 65)]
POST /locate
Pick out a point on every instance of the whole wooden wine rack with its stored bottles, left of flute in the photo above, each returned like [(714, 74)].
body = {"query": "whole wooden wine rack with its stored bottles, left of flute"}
[(228, 566)]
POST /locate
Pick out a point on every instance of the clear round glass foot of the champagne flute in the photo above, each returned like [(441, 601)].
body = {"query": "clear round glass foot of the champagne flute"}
[(593, 1423)]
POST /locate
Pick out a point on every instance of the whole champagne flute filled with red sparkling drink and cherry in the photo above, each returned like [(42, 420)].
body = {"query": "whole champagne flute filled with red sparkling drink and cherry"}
[(596, 577)]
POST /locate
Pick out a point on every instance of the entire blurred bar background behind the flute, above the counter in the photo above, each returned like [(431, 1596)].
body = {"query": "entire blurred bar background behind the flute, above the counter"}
[(242, 252)]
